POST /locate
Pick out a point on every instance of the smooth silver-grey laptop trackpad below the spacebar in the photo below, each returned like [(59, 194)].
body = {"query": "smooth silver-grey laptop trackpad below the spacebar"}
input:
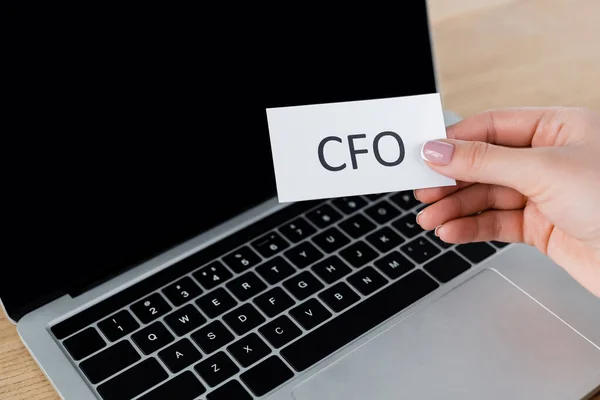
[(484, 340)]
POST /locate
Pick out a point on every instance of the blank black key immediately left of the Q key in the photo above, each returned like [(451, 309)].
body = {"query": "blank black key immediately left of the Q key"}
[(110, 361)]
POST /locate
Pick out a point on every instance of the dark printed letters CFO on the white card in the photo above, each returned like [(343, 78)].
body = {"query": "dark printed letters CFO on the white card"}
[(354, 151)]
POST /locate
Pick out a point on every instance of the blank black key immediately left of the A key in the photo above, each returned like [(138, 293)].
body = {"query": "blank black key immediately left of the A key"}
[(134, 381)]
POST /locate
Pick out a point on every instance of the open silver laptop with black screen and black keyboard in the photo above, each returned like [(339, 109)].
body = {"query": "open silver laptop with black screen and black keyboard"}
[(157, 262)]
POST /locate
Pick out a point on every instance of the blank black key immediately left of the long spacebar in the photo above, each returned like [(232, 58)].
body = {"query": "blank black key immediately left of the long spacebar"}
[(267, 375)]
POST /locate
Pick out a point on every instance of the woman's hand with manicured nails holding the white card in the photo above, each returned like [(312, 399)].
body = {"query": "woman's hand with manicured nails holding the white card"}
[(527, 175)]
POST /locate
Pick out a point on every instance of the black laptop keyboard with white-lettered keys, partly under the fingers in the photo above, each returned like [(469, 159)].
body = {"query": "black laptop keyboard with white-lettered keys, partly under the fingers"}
[(247, 321)]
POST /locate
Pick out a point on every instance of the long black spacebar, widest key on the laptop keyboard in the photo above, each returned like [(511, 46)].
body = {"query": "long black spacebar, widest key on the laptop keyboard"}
[(359, 319)]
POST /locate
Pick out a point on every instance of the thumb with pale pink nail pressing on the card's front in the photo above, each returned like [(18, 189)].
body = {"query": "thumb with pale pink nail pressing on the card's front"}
[(523, 169)]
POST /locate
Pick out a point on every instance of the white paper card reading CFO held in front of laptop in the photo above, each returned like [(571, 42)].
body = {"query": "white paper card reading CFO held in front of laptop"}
[(358, 147)]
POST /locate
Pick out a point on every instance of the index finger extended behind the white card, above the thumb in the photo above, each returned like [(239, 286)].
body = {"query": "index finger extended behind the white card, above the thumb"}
[(515, 127)]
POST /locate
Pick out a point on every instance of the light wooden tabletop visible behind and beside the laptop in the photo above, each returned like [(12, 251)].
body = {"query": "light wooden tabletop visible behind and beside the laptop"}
[(490, 53)]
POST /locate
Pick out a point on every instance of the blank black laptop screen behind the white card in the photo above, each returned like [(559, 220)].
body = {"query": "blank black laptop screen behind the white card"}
[(156, 134)]
